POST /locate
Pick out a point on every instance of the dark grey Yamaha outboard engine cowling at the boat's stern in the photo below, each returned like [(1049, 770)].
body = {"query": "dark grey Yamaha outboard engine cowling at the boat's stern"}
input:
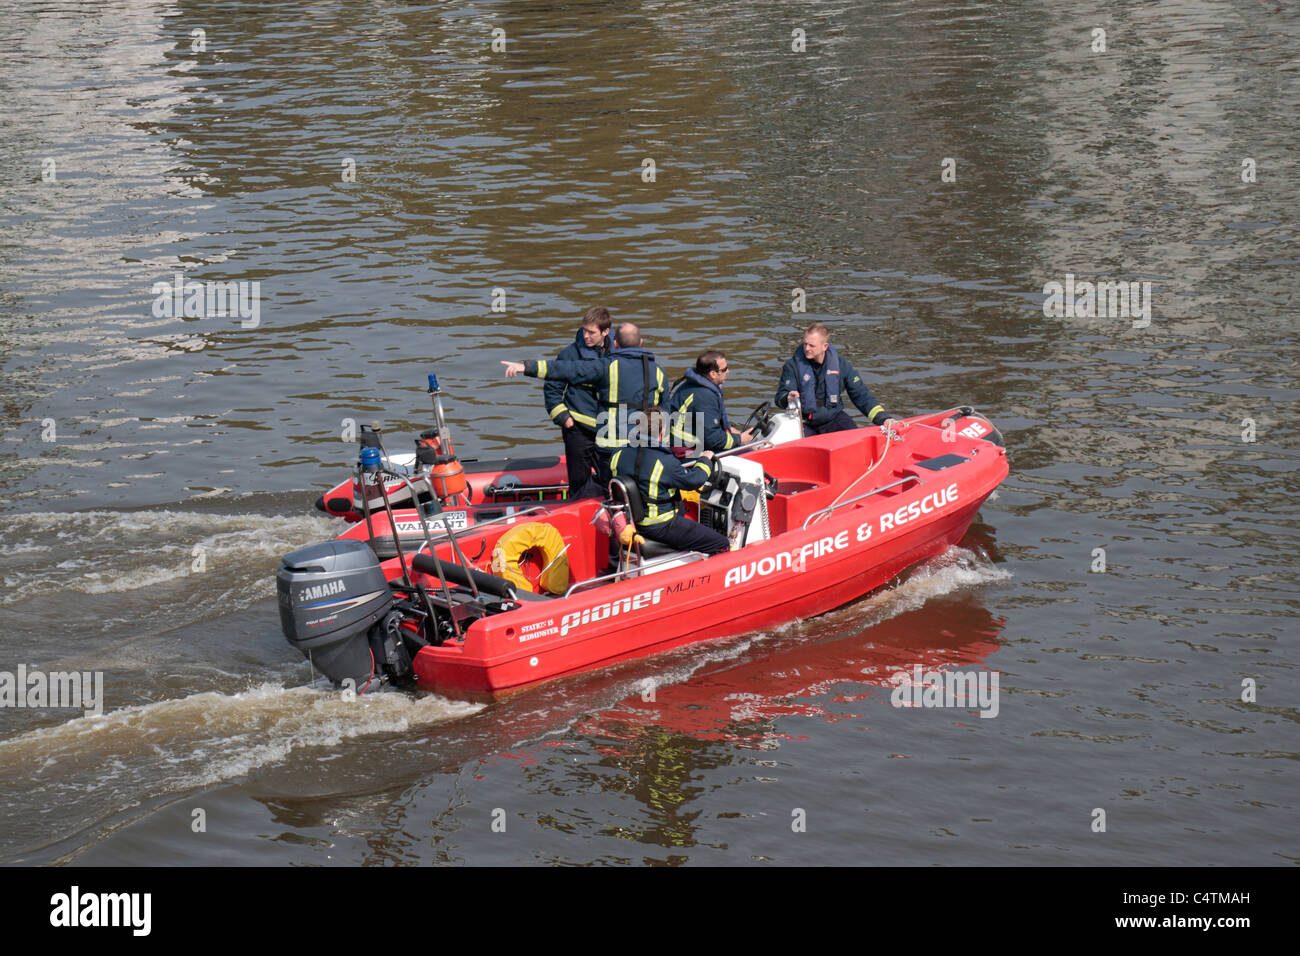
[(331, 595)]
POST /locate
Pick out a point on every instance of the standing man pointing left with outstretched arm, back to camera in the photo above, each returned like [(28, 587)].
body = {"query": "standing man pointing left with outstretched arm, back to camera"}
[(626, 380)]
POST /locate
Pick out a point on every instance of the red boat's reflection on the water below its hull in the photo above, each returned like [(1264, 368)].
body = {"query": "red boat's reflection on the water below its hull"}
[(665, 745)]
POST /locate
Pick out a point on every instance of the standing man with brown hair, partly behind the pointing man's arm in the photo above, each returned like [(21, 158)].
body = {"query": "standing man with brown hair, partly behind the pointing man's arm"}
[(575, 408)]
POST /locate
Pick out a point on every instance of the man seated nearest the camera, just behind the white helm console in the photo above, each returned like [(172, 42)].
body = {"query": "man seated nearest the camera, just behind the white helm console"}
[(661, 477)]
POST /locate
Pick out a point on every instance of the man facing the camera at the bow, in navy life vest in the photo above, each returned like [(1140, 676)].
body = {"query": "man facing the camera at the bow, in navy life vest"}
[(817, 374)]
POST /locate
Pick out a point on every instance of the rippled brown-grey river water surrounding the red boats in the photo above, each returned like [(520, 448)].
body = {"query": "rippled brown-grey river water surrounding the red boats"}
[(921, 170)]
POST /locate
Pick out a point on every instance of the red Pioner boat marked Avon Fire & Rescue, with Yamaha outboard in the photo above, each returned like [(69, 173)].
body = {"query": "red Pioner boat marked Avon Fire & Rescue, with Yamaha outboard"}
[(816, 524)]
